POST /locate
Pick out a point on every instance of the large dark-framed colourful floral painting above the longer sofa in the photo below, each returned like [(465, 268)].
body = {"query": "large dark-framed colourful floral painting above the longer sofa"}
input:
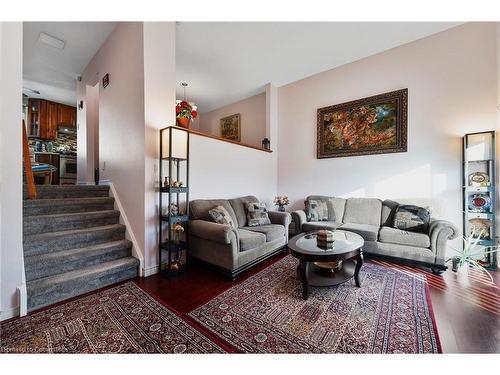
[(373, 125)]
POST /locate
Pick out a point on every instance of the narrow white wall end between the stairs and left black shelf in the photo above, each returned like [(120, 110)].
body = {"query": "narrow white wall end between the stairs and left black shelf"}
[(159, 110)]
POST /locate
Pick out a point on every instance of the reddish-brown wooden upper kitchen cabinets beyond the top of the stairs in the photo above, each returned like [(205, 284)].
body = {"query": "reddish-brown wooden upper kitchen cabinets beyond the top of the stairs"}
[(44, 117)]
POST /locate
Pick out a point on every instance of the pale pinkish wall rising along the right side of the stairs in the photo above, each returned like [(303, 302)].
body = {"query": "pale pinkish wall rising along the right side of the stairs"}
[(121, 118)]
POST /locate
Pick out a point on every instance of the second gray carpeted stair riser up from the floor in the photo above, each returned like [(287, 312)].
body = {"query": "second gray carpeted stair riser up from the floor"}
[(37, 270)]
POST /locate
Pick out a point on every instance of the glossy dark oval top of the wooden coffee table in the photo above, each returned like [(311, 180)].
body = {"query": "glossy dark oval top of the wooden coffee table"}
[(345, 242)]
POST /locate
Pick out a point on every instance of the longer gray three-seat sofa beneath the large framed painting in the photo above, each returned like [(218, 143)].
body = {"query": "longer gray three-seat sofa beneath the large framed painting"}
[(373, 219)]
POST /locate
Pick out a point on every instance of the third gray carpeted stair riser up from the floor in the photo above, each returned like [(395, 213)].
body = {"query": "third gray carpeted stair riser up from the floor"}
[(72, 241)]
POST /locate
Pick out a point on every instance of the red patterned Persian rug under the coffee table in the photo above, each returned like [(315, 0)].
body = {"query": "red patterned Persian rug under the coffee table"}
[(390, 313)]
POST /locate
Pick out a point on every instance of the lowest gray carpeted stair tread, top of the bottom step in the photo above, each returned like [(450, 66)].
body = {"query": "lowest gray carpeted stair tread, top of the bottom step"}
[(95, 270)]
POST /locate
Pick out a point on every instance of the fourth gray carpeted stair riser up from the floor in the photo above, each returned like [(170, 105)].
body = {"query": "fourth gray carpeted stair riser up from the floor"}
[(37, 224)]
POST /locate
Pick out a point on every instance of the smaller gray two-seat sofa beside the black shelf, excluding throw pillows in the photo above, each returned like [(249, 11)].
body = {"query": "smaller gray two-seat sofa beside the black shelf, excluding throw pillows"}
[(231, 250)]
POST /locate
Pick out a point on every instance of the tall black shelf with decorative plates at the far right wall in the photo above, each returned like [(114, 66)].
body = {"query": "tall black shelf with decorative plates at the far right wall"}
[(479, 204)]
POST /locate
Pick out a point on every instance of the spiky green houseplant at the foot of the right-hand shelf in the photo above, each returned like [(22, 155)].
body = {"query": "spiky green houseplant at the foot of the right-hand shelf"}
[(468, 256)]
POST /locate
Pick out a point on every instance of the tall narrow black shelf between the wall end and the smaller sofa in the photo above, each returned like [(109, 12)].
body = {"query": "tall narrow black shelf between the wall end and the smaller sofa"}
[(174, 164)]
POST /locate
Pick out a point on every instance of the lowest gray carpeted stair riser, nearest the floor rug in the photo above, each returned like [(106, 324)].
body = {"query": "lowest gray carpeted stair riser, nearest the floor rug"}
[(63, 291)]
